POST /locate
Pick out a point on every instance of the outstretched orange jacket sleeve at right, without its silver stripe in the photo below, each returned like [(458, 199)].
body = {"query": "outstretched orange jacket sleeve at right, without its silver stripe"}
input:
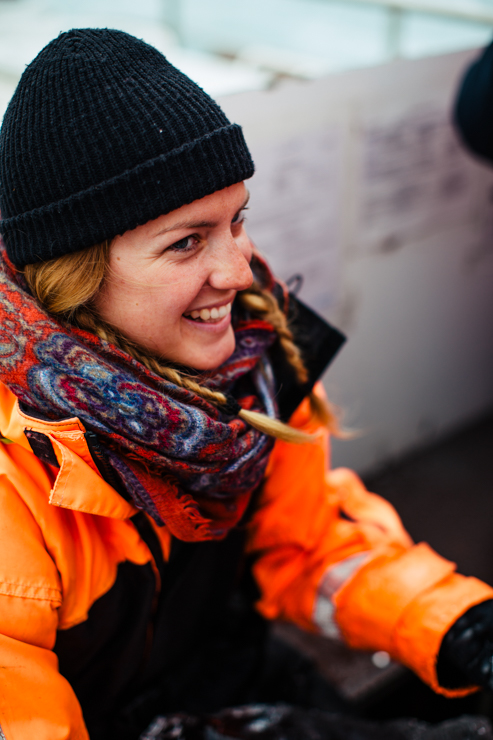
[(401, 597)]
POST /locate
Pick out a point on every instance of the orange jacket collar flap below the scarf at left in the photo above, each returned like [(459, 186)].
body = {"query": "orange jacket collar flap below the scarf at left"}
[(78, 483)]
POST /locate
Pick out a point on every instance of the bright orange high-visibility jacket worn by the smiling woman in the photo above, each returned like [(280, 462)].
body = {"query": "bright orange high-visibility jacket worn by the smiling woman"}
[(329, 556)]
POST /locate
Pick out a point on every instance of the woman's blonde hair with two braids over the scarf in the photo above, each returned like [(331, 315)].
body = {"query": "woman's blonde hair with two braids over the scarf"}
[(66, 287)]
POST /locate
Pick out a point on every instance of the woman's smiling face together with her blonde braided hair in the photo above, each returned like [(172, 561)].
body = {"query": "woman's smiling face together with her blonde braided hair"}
[(86, 290)]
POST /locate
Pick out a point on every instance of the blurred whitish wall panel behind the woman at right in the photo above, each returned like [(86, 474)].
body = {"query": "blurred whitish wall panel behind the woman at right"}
[(403, 238)]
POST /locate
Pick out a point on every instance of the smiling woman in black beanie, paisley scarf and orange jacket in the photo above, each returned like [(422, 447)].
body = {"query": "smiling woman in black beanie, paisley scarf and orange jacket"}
[(147, 370)]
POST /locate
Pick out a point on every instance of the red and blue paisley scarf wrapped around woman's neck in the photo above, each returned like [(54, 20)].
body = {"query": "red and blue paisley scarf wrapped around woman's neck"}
[(180, 459)]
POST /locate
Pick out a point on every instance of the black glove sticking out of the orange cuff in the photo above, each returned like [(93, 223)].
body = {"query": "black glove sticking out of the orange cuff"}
[(466, 655)]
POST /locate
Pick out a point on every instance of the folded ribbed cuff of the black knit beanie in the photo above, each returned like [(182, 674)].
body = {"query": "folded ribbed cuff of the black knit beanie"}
[(194, 170)]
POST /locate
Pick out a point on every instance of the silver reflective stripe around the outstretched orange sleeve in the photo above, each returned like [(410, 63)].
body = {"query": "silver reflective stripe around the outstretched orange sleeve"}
[(333, 579)]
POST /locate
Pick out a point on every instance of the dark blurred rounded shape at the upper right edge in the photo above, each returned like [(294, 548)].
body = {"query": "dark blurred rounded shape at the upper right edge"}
[(474, 106)]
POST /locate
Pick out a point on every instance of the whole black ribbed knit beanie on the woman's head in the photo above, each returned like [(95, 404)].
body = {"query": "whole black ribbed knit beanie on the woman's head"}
[(104, 134)]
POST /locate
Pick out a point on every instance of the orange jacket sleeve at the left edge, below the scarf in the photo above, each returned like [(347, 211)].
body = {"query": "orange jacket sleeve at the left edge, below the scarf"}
[(35, 700)]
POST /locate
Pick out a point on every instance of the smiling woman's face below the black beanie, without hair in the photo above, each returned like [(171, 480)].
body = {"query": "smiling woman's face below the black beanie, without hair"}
[(172, 281)]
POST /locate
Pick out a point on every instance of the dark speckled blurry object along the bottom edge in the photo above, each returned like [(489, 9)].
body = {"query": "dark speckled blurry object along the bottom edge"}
[(282, 722)]
